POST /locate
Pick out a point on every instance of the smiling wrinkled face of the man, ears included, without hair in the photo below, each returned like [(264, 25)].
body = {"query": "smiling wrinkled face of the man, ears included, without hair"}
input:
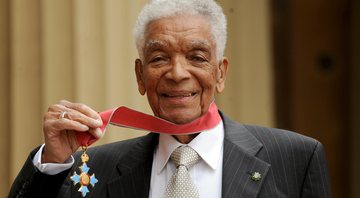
[(179, 70)]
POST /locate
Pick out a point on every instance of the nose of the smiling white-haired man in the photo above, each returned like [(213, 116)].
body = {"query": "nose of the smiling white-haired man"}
[(178, 70)]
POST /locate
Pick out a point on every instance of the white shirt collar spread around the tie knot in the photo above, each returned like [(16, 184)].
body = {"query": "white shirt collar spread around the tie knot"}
[(208, 144)]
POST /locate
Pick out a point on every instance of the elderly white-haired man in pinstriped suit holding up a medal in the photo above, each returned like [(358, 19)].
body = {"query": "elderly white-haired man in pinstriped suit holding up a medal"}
[(180, 68)]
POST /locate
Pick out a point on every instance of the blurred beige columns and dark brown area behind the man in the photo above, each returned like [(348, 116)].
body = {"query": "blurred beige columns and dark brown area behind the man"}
[(294, 64)]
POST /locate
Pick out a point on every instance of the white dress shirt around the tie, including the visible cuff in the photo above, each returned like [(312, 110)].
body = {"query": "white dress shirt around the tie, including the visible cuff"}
[(206, 174)]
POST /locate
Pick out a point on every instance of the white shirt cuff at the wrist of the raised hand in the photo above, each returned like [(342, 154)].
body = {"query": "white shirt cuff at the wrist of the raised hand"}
[(51, 168)]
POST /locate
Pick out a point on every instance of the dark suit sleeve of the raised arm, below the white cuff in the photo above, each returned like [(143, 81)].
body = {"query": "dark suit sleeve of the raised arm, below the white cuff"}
[(30, 182)]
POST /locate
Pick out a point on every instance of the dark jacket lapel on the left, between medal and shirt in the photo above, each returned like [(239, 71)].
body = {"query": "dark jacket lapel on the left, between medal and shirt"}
[(135, 170)]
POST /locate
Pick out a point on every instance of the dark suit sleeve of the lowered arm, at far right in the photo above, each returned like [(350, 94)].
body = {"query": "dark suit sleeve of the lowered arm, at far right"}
[(317, 181)]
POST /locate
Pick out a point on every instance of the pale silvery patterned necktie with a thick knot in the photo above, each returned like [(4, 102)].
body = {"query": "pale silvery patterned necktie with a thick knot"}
[(180, 184)]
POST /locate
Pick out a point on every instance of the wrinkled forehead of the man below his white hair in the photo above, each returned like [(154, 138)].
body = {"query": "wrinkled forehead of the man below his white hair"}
[(191, 30)]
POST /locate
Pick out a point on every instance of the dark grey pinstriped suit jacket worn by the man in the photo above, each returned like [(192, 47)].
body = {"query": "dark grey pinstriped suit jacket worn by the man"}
[(291, 165)]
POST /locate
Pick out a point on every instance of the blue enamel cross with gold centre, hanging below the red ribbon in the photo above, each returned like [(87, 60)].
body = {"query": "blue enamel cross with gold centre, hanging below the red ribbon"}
[(84, 178)]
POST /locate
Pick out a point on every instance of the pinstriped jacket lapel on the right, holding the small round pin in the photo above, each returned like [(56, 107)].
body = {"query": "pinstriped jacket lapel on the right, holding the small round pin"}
[(240, 162)]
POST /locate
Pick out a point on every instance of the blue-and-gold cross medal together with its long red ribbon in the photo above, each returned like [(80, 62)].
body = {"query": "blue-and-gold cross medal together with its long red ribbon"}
[(126, 117)]
